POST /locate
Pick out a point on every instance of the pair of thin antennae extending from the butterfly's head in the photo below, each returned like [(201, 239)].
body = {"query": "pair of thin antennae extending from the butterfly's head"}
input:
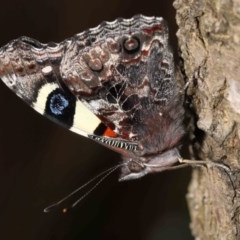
[(103, 175)]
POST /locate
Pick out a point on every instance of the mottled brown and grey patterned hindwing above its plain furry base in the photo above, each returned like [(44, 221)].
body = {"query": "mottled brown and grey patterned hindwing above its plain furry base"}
[(120, 70)]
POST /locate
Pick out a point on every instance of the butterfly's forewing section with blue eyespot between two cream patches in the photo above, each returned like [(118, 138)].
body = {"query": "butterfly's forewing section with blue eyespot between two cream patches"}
[(31, 70)]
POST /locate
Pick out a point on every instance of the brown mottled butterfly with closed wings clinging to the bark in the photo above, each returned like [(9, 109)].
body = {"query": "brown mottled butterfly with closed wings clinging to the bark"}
[(114, 84)]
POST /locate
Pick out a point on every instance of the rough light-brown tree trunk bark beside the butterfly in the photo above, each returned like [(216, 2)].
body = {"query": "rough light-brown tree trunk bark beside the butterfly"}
[(209, 40)]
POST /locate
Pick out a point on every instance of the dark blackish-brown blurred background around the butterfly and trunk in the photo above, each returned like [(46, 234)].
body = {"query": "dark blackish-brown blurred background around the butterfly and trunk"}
[(41, 162)]
